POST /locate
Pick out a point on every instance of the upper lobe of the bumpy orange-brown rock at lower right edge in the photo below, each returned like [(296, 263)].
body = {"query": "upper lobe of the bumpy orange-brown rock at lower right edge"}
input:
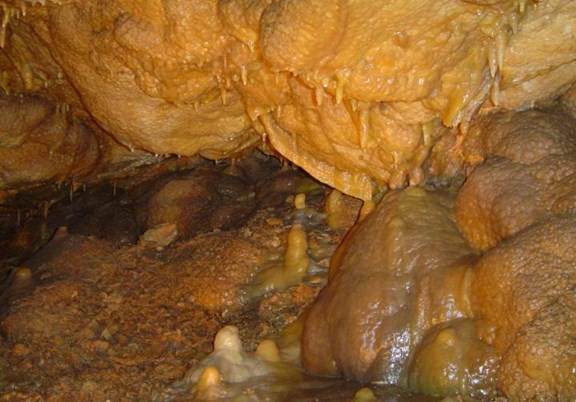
[(521, 276)]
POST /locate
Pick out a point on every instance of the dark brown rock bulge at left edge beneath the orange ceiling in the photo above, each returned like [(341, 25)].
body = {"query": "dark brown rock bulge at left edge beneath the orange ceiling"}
[(41, 144)]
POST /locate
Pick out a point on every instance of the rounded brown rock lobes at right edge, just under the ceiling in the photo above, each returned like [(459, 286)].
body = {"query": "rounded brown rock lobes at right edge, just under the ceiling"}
[(530, 174)]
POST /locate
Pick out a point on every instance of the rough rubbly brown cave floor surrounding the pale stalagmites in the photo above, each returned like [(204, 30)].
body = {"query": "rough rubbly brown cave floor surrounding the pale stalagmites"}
[(98, 322)]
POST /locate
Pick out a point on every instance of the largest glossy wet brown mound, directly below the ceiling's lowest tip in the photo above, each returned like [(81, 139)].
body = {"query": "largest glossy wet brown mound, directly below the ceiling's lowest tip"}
[(387, 289)]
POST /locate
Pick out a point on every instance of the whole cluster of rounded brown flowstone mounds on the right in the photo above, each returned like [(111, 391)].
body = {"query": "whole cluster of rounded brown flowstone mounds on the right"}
[(378, 321)]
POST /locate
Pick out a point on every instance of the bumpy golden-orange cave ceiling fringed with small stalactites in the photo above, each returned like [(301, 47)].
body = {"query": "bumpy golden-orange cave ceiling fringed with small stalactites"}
[(355, 93)]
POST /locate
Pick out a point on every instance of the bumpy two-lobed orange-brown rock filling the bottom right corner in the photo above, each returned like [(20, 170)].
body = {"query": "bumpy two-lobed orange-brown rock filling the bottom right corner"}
[(524, 302)]
